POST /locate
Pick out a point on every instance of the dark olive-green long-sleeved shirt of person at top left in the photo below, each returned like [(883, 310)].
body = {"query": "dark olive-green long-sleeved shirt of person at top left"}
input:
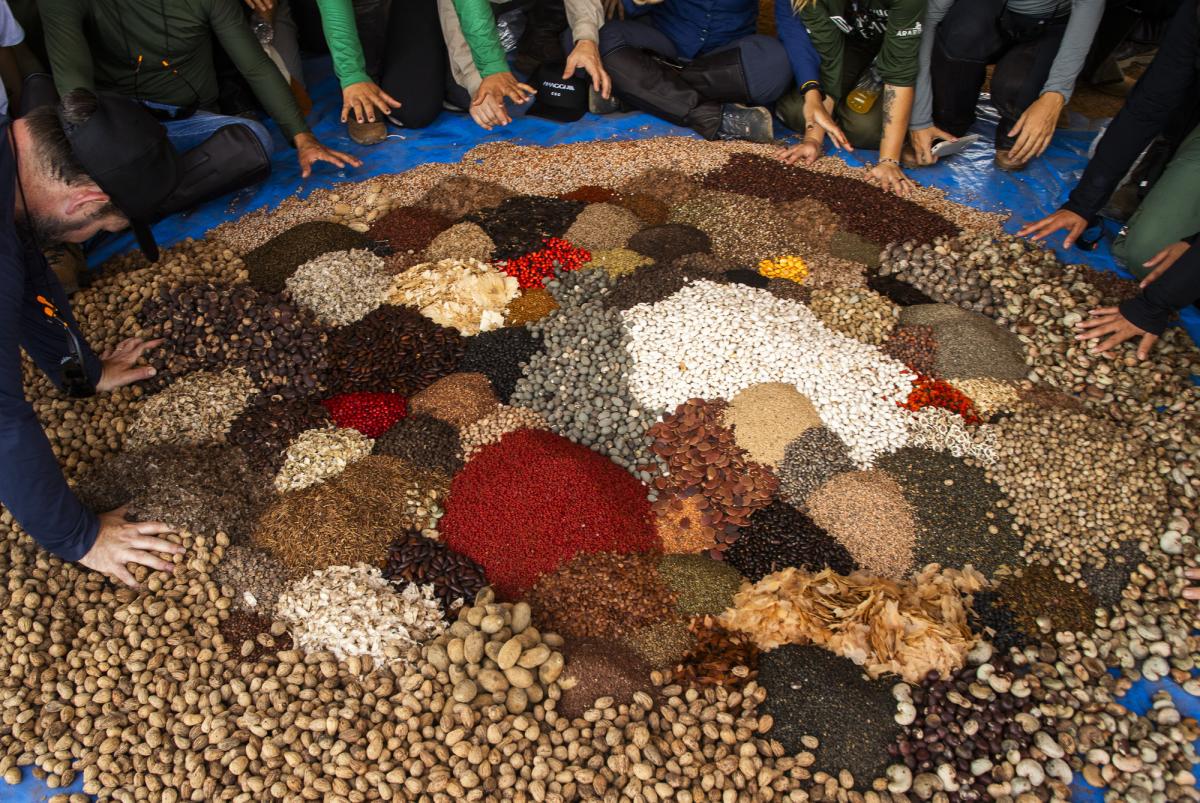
[(95, 45)]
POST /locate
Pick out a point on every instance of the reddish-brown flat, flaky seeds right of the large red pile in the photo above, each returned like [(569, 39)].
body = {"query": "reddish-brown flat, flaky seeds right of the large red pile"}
[(703, 456)]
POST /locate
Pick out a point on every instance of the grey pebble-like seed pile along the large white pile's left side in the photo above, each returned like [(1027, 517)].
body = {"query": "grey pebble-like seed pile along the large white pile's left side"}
[(579, 382)]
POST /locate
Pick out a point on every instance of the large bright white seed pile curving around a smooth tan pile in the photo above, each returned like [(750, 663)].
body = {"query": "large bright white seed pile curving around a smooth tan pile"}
[(711, 341)]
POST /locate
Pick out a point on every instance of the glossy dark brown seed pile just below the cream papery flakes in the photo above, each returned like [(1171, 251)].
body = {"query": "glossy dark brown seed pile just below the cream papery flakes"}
[(392, 350)]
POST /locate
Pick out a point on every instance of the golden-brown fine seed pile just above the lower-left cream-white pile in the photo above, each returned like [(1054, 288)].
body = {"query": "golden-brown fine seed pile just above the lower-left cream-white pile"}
[(349, 519)]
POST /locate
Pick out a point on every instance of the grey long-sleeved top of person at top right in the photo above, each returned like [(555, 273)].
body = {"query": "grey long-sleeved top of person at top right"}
[(1085, 17)]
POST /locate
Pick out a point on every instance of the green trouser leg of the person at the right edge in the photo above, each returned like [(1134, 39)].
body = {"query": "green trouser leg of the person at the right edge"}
[(1169, 214)]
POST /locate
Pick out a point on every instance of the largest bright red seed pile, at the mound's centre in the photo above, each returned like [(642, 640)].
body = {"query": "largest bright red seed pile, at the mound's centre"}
[(527, 505)]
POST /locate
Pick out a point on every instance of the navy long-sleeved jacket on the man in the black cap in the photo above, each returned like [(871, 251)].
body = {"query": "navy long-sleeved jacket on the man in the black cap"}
[(32, 484)]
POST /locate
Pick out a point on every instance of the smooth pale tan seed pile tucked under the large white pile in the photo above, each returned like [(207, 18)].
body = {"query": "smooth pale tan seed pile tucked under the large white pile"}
[(767, 417)]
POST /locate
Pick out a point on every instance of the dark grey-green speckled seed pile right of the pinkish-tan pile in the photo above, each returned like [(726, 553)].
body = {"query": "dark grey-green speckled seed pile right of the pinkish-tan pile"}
[(958, 517)]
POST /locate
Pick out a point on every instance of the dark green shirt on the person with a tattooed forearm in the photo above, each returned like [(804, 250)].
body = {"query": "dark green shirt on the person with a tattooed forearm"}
[(895, 26)]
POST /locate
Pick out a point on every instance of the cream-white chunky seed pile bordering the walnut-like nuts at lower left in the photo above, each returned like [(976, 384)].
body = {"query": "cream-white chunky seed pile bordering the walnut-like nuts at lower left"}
[(353, 612)]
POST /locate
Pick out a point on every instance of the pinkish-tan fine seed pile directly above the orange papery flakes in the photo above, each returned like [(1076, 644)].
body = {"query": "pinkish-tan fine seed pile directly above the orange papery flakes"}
[(868, 514)]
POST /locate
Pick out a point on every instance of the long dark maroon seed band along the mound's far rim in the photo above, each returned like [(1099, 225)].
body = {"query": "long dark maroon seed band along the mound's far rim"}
[(867, 211)]
